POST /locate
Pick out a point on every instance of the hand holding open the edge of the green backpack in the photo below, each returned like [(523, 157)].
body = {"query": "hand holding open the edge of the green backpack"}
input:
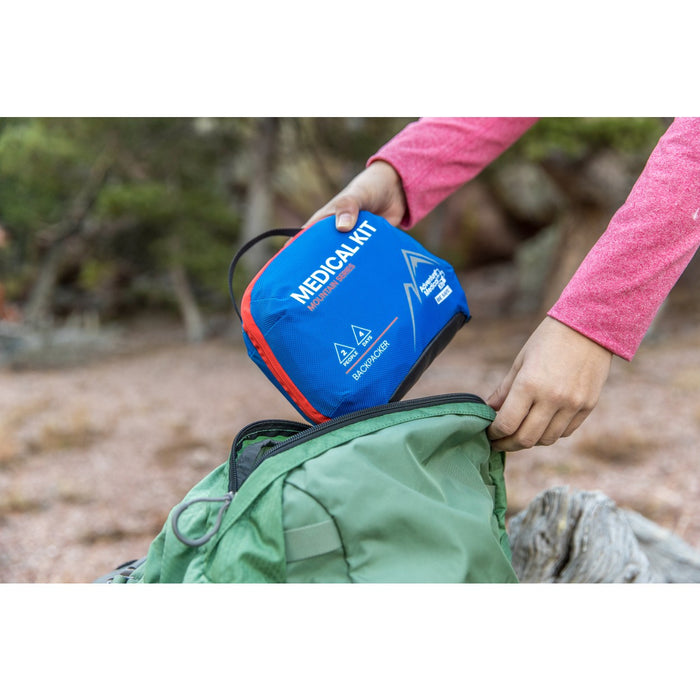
[(553, 385)]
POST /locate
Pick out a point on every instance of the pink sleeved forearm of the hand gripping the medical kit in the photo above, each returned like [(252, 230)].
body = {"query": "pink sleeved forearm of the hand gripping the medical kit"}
[(434, 156)]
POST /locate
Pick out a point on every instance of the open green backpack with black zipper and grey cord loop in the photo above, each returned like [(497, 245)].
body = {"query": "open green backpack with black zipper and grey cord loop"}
[(407, 492)]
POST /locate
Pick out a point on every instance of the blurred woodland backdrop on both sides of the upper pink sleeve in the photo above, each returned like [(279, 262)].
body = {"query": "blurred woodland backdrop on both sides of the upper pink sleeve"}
[(120, 215)]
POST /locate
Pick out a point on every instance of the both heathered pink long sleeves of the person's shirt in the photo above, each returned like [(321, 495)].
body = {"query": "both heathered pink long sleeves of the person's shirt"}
[(616, 292)]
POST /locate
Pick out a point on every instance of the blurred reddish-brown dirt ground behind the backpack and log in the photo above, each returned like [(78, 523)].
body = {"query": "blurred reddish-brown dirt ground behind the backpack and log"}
[(93, 457)]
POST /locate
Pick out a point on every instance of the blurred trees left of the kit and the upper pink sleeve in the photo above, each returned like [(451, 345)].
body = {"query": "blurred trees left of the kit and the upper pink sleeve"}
[(116, 215)]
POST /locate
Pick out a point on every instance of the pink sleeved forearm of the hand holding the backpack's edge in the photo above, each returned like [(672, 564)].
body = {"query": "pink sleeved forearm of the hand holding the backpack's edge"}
[(618, 289)]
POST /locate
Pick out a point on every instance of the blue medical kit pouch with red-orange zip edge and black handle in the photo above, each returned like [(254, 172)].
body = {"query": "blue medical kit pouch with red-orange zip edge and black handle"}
[(339, 322)]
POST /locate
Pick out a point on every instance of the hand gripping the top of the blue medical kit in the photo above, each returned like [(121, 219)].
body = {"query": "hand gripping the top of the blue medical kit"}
[(376, 189)]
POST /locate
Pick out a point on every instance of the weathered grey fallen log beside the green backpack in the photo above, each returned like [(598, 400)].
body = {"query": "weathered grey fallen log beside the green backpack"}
[(571, 536)]
